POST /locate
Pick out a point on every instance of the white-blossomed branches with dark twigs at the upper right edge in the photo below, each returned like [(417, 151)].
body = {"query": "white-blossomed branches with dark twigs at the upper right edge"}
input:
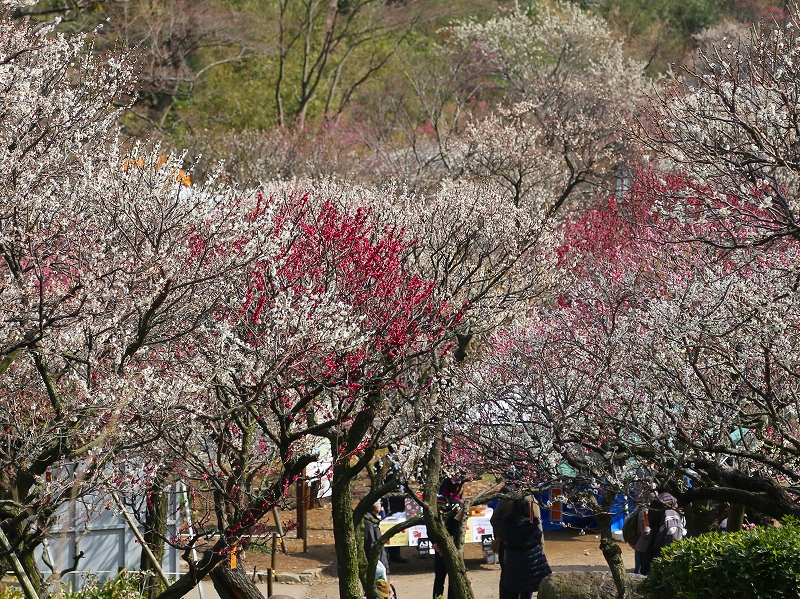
[(730, 124)]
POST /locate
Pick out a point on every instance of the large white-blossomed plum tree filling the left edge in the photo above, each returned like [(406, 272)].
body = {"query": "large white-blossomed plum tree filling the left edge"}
[(107, 264)]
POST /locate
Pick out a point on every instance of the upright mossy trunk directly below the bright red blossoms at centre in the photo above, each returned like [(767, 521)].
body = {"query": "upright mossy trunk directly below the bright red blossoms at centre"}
[(344, 533)]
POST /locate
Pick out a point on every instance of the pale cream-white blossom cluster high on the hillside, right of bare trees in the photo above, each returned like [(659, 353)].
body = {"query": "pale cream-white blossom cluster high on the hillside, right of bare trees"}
[(572, 89)]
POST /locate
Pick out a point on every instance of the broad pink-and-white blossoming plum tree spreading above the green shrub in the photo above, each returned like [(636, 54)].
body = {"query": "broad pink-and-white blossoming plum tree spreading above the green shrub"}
[(656, 360)]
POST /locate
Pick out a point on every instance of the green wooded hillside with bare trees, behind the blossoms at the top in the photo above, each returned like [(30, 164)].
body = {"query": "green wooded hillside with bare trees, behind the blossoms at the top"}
[(376, 89)]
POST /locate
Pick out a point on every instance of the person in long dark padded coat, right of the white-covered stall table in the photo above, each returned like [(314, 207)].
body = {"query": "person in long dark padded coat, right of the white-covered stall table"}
[(525, 563)]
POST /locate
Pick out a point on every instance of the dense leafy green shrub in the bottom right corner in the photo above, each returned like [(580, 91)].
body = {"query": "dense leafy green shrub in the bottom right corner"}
[(763, 562)]
